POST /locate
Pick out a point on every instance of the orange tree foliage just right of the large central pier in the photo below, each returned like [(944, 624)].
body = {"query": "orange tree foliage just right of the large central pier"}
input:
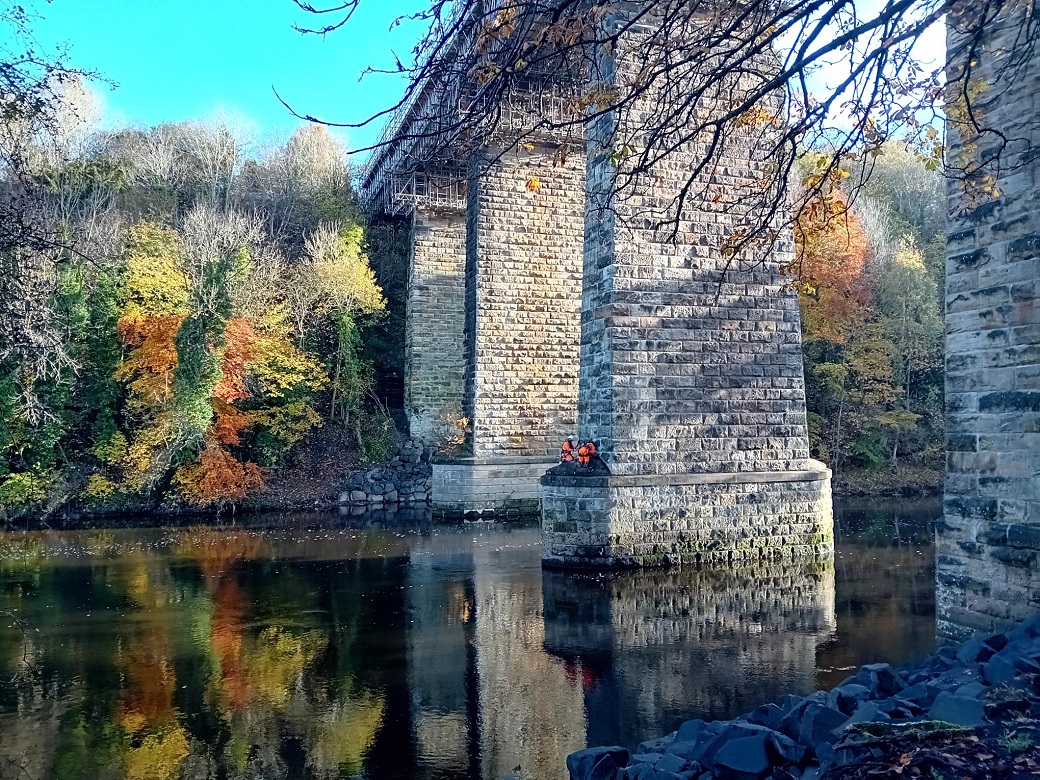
[(834, 251)]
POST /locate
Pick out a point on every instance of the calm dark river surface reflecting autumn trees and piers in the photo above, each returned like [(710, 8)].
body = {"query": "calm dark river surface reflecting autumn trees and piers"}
[(270, 652)]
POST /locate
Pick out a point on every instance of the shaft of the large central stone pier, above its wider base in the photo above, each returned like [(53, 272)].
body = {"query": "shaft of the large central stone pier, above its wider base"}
[(685, 369)]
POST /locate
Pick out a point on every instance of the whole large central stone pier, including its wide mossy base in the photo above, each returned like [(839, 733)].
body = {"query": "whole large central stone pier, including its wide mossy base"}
[(691, 376)]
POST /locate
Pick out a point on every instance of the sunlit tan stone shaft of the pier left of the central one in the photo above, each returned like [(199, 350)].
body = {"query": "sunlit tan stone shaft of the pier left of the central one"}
[(524, 291)]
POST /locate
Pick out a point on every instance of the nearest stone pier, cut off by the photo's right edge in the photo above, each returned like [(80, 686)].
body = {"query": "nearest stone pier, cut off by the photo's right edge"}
[(989, 544)]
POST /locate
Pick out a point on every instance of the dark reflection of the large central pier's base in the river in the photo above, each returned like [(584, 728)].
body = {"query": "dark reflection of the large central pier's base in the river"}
[(653, 648)]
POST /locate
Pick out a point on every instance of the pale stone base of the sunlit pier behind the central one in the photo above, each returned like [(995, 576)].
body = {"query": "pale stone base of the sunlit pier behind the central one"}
[(470, 488)]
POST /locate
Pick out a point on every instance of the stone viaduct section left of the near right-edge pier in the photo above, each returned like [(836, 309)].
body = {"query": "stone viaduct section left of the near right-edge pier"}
[(542, 313)]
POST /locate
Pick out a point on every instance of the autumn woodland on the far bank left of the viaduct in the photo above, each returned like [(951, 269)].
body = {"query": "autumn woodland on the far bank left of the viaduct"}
[(186, 314)]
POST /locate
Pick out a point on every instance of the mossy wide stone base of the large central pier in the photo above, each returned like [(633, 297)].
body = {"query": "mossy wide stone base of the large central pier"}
[(614, 523)]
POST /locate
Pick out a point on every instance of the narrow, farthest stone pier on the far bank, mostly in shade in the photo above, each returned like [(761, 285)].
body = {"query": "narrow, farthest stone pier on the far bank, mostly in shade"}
[(434, 326)]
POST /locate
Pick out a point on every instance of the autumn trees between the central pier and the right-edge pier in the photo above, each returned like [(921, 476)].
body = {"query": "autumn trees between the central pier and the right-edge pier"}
[(871, 278)]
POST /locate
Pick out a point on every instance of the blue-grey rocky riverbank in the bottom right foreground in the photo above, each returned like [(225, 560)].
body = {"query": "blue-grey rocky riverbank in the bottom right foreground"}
[(971, 711)]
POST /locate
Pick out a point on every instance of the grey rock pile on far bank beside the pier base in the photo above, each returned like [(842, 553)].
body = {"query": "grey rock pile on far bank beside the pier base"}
[(405, 480)]
